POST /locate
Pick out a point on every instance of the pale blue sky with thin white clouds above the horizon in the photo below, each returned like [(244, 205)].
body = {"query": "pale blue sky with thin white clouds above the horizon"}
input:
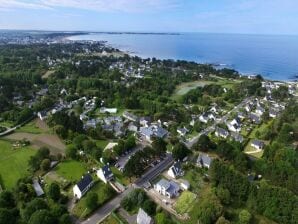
[(215, 16)]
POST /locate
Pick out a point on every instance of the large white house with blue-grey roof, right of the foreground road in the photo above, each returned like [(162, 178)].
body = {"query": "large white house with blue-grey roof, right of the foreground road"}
[(166, 188)]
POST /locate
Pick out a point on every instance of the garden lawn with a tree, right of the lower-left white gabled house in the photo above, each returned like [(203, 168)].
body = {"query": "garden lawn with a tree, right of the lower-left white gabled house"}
[(104, 191)]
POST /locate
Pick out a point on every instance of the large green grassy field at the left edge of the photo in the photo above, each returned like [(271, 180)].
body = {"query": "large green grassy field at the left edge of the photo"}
[(13, 163)]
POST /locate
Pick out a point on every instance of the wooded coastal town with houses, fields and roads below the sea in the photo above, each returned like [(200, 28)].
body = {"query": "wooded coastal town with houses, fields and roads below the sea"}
[(95, 135)]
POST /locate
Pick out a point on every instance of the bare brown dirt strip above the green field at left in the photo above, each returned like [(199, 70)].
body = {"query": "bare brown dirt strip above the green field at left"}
[(38, 140)]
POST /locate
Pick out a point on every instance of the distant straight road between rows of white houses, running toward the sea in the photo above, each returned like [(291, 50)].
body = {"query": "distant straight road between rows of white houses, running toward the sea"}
[(211, 128)]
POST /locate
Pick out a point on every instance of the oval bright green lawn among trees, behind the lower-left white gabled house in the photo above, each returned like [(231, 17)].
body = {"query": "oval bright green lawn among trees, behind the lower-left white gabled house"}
[(71, 170)]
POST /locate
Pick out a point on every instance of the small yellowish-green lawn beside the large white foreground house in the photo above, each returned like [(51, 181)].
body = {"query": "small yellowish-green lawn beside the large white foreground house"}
[(185, 202)]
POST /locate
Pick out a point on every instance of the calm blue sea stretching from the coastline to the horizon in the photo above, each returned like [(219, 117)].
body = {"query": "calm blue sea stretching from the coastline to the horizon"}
[(273, 56)]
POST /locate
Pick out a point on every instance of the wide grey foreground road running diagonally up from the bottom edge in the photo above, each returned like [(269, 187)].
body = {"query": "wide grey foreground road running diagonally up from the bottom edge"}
[(108, 208)]
